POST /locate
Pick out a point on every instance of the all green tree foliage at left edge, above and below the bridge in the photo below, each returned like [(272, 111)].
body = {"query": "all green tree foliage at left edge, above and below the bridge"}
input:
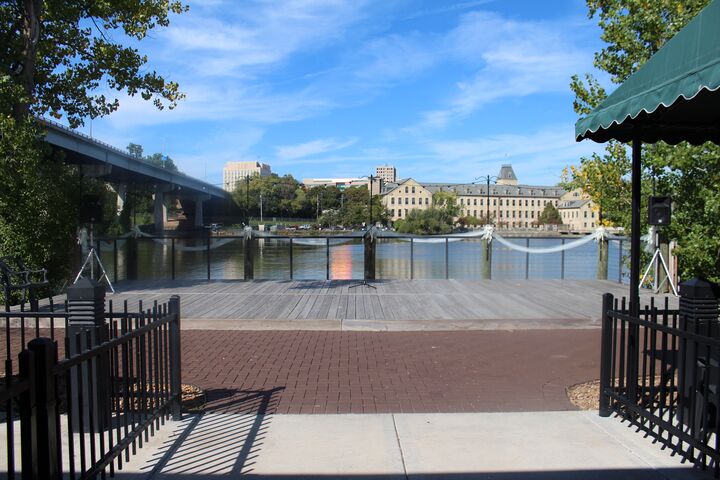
[(60, 58)]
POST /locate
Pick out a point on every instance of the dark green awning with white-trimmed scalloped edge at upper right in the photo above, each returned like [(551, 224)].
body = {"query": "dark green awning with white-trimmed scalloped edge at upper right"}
[(673, 97)]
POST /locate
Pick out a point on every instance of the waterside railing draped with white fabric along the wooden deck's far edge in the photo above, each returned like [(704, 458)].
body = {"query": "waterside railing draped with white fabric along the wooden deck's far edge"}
[(343, 257)]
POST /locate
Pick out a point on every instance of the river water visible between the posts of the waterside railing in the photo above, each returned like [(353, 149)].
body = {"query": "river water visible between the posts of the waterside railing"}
[(345, 260)]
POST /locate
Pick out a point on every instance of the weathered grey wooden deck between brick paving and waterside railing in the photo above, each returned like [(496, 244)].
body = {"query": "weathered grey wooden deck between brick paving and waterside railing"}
[(392, 305)]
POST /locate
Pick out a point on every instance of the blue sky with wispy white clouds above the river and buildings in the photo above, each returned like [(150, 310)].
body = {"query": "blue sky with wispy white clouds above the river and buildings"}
[(444, 90)]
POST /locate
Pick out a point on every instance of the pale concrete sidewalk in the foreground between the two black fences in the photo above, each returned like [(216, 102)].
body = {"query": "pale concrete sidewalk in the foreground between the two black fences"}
[(502, 446)]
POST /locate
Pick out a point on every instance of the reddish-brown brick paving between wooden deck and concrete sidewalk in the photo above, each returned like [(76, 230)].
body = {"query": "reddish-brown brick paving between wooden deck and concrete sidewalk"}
[(369, 372)]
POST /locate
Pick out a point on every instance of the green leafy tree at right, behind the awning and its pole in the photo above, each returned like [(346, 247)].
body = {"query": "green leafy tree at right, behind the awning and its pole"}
[(633, 30)]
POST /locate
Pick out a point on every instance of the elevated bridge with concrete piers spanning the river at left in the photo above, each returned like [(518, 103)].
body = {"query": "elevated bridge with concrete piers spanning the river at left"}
[(201, 201)]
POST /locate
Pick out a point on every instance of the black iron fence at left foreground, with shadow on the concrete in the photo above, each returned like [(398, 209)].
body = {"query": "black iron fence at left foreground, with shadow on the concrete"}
[(100, 388)]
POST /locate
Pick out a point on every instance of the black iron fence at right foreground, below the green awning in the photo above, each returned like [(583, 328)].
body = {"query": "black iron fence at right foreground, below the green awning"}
[(660, 370)]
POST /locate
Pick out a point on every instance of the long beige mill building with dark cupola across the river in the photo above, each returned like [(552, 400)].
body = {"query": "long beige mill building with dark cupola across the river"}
[(511, 205)]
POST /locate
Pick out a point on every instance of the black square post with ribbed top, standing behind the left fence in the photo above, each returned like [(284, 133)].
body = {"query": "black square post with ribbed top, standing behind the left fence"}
[(86, 308)]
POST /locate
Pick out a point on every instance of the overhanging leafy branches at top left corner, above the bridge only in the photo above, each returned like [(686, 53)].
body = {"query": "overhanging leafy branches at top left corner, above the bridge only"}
[(61, 53)]
